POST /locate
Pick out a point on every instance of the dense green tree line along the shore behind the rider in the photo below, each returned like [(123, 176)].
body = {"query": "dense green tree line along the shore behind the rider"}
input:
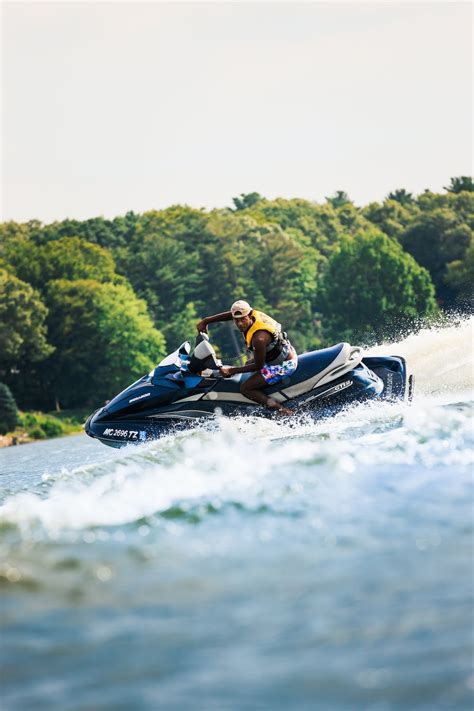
[(85, 306)]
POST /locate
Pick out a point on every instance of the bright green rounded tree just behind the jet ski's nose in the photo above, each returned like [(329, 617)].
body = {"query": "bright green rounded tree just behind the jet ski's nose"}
[(104, 339)]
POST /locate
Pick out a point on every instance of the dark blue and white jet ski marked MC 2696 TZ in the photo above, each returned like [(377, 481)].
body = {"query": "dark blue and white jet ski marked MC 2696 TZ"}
[(185, 388)]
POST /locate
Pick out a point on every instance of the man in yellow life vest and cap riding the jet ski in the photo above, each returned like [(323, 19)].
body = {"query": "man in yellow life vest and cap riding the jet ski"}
[(272, 357)]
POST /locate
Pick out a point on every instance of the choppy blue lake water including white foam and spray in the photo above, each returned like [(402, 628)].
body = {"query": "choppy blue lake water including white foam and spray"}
[(261, 565)]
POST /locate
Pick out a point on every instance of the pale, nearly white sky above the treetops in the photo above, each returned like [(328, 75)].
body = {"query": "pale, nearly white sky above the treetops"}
[(109, 107)]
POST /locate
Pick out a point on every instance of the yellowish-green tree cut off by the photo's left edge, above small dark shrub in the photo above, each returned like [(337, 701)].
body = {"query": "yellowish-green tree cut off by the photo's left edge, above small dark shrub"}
[(22, 324)]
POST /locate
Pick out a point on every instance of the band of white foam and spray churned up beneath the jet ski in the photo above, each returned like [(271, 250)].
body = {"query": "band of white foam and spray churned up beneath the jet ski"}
[(241, 459)]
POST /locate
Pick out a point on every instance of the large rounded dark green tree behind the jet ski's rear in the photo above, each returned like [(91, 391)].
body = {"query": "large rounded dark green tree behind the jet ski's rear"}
[(371, 286)]
